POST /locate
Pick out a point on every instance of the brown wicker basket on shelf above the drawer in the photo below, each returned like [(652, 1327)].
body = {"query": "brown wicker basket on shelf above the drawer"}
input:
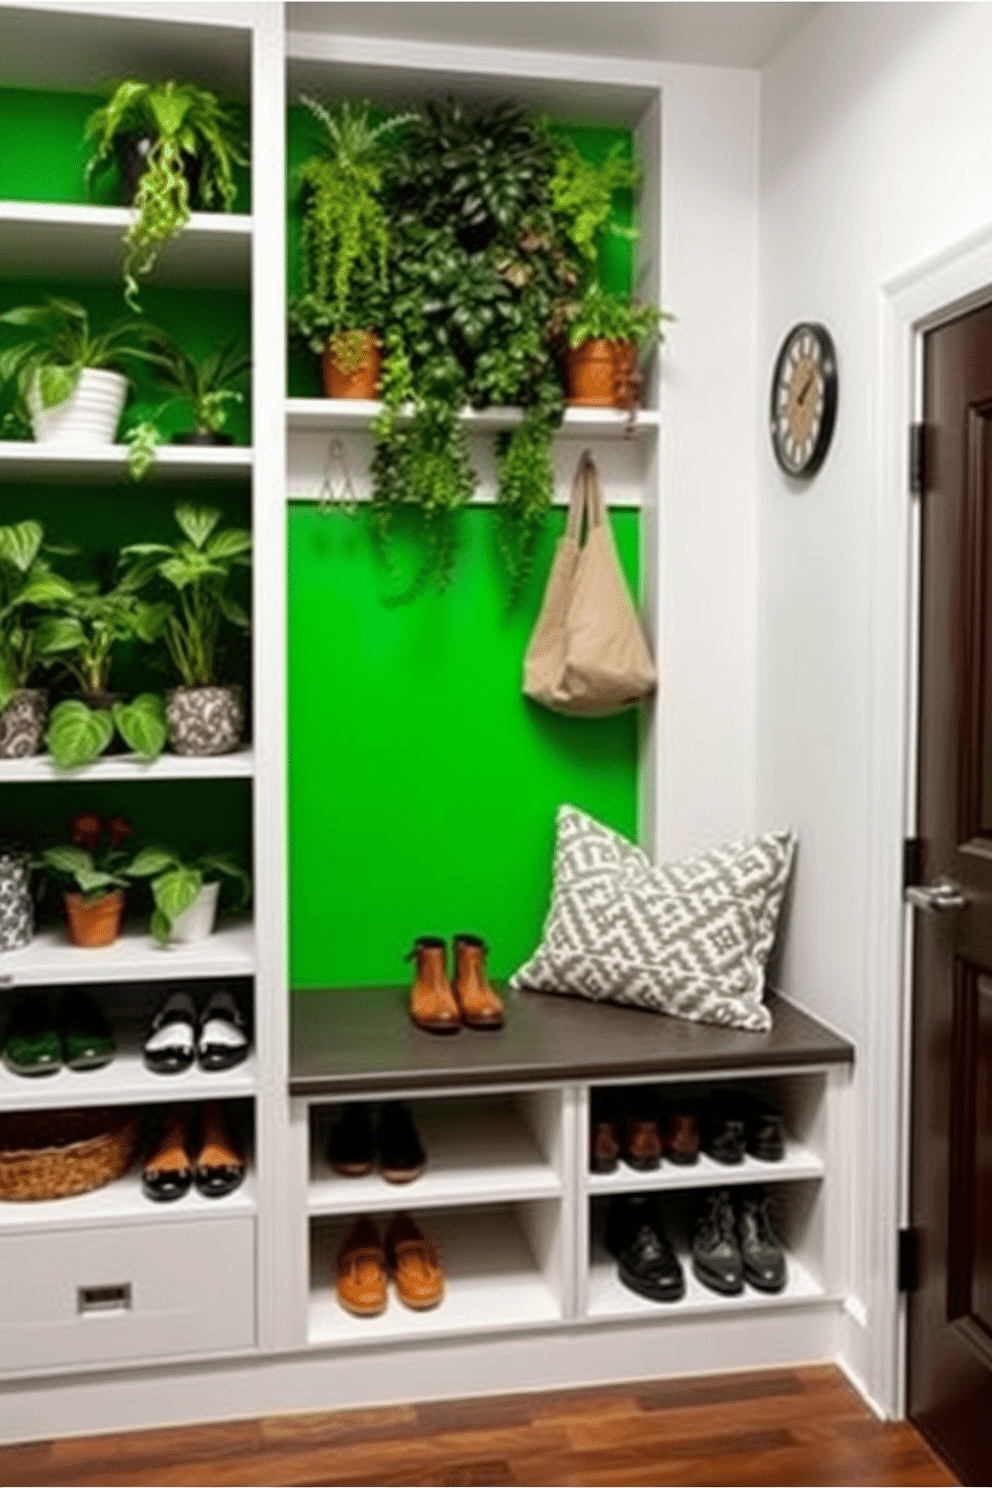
[(53, 1155)]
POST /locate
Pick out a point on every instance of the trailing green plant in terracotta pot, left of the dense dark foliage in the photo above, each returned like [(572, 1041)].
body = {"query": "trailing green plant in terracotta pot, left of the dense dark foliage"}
[(344, 246)]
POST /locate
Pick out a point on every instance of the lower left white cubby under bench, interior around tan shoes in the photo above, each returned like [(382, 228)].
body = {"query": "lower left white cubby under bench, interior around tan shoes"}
[(505, 1269)]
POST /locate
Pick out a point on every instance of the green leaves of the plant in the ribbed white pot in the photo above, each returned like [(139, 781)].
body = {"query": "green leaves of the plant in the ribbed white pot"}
[(57, 344)]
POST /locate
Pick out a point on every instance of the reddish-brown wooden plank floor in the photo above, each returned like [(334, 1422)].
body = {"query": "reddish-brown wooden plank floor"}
[(782, 1426)]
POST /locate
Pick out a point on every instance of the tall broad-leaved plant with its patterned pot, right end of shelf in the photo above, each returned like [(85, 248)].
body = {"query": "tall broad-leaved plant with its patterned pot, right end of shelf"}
[(203, 716)]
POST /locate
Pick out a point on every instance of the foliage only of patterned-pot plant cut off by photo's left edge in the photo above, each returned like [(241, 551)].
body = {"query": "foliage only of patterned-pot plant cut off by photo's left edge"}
[(28, 589)]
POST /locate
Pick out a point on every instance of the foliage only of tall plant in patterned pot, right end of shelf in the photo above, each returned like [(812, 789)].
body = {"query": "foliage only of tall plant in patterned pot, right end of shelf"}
[(197, 571)]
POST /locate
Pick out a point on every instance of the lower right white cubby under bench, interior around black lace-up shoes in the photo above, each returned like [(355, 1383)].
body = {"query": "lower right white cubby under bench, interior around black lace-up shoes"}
[(798, 1219)]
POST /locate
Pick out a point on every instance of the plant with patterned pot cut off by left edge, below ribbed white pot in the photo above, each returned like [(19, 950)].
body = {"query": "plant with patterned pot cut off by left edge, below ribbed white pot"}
[(28, 584)]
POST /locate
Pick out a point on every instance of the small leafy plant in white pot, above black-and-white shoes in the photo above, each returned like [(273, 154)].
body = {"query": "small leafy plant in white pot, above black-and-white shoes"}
[(187, 894)]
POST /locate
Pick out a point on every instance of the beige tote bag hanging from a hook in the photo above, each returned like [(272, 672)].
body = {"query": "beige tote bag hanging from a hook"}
[(588, 654)]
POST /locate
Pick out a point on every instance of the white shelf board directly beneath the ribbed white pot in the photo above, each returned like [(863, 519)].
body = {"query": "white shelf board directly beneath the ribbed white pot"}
[(23, 461)]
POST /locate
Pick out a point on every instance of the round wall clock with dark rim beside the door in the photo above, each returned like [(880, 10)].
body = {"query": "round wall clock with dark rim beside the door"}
[(804, 400)]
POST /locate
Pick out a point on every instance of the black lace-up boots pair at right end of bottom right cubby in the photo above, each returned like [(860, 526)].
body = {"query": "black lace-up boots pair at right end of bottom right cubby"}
[(731, 1248)]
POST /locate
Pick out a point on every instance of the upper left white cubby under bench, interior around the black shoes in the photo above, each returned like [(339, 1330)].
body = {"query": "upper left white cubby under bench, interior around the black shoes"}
[(508, 1147)]
